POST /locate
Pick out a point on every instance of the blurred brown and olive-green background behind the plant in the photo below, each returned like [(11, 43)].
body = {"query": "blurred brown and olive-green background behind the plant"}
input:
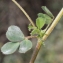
[(10, 14)]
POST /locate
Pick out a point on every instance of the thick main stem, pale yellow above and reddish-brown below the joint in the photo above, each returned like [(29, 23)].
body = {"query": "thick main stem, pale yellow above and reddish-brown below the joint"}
[(38, 46)]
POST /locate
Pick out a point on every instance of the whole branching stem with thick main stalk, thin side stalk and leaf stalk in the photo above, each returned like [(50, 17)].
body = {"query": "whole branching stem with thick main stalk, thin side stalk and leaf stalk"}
[(39, 43)]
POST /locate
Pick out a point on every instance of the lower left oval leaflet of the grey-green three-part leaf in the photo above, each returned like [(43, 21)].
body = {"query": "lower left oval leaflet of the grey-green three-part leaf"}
[(9, 47)]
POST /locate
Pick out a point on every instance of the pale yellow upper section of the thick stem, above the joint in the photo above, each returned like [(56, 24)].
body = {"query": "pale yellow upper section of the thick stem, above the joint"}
[(57, 19)]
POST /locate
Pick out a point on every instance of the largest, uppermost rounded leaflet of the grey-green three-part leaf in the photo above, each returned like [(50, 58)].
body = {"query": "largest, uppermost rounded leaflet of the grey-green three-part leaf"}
[(14, 34)]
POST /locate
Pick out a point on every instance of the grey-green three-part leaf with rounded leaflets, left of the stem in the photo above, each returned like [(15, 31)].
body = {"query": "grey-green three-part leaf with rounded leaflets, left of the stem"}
[(15, 35)]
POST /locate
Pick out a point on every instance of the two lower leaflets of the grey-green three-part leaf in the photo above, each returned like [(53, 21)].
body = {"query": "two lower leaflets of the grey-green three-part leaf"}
[(11, 47)]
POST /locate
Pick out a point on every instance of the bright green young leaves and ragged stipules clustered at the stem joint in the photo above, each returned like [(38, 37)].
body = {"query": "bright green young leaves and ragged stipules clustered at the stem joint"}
[(41, 20)]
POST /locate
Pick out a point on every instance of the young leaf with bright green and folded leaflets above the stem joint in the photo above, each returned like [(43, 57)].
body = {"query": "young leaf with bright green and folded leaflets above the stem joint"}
[(44, 18)]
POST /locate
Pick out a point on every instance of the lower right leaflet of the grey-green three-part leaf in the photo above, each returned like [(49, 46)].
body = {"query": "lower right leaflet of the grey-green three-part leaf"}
[(25, 45)]
